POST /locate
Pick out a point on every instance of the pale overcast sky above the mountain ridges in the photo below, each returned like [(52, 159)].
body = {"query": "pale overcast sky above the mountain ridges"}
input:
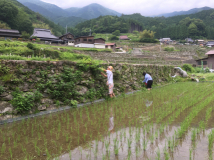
[(145, 7)]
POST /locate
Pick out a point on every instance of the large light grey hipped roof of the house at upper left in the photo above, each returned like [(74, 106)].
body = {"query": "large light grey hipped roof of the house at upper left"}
[(43, 33)]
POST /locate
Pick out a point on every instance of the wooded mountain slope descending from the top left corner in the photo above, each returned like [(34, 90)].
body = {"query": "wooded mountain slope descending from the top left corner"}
[(25, 19)]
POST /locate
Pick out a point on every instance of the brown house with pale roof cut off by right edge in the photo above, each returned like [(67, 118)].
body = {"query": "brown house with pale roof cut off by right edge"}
[(208, 61)]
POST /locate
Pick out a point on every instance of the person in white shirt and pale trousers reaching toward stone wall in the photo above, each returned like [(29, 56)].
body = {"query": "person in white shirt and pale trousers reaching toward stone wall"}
[(110, 82)]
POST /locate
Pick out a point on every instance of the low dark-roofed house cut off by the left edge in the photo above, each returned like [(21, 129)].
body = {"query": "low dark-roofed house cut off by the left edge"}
[(9, 33)]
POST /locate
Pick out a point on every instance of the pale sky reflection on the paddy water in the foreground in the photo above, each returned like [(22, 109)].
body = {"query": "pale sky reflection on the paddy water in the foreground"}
[(130, 147)]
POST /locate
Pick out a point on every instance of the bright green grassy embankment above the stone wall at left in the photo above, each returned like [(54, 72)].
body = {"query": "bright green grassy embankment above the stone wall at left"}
[(16, 50)]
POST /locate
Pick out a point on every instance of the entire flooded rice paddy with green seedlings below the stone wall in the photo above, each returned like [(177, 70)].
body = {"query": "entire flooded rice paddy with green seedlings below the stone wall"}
[(173, 122)]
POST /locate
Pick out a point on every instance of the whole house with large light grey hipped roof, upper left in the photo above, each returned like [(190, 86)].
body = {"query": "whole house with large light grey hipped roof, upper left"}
[(45, 35)]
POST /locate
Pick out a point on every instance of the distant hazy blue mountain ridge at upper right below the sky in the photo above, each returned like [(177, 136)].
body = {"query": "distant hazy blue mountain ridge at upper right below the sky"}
[(191, 11)]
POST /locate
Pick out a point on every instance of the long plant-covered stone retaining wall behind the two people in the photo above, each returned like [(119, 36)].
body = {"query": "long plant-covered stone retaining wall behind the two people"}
[(75, 82)]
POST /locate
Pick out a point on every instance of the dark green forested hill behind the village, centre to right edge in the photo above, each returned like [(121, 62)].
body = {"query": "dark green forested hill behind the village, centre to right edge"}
[(199, 25)]
